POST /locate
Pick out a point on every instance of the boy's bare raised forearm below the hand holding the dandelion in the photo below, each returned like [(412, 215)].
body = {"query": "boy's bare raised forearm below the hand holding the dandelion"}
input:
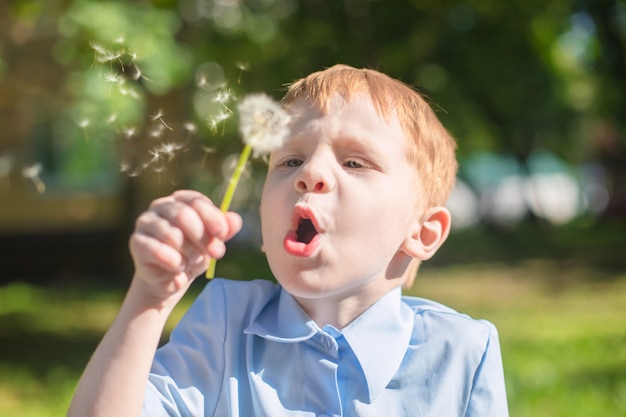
[(114, 381)]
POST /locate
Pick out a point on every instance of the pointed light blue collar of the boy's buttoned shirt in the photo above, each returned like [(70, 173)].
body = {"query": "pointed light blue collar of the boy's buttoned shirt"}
[(379, 337)]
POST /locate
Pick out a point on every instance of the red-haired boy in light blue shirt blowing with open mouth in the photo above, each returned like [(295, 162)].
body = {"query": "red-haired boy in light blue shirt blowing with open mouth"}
[(352, 202)]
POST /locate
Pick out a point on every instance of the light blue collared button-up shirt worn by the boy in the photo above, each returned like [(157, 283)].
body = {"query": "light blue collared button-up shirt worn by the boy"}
[(248, 349)]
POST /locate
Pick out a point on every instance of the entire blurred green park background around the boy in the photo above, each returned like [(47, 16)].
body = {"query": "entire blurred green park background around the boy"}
[(106, 105)]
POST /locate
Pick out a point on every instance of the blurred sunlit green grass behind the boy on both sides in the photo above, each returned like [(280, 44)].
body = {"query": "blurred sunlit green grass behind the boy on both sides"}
[(562, 328)]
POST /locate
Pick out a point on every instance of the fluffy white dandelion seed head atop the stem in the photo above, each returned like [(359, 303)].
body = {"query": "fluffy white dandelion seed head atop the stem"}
[(263, 123)]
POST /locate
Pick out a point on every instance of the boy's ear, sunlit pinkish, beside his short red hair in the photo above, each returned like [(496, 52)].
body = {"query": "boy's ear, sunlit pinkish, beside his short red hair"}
[(428, 234)]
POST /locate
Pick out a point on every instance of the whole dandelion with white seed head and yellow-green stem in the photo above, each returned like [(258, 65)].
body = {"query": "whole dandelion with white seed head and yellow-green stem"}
[(263, 125)]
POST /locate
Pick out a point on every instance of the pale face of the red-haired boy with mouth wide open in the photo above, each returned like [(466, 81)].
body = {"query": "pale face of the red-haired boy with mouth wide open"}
[(339, 202)]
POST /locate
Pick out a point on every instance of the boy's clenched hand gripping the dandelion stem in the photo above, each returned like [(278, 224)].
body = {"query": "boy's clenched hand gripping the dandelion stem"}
[(174, 240)]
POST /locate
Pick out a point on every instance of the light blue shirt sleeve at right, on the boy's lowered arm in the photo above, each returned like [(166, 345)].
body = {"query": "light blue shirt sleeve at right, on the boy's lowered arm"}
[(488, 394)]
